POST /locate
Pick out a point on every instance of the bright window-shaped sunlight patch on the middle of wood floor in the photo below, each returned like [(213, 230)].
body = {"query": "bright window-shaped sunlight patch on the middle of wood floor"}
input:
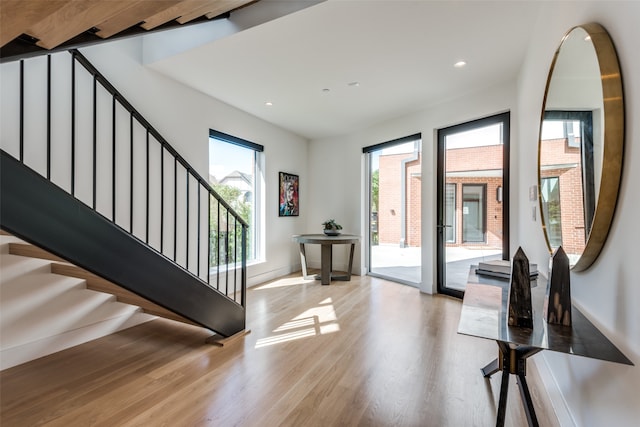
[(319, 320)]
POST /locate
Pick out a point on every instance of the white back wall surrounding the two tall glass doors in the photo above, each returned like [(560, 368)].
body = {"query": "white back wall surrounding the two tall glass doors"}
[(344, 154)]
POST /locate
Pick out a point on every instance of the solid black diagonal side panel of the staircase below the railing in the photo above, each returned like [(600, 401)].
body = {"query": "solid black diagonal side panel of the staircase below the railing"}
[(43, 214)]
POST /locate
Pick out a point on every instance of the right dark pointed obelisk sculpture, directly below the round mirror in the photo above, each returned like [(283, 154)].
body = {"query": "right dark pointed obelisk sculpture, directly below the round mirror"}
[(557, 302)]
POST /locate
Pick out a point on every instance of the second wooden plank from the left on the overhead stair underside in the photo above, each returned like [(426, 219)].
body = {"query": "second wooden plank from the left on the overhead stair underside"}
[(72, 19)]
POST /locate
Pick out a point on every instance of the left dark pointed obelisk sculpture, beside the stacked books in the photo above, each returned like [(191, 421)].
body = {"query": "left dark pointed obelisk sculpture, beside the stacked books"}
[(520, 311)]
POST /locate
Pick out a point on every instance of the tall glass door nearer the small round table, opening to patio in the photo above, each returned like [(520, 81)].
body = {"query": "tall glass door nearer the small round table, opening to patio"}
[(395, 218)]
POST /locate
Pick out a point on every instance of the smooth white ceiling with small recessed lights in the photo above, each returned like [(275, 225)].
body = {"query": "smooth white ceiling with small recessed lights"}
[(401, 53)]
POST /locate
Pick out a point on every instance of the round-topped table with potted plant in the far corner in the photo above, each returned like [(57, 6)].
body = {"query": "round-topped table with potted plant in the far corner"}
[(326, 254)]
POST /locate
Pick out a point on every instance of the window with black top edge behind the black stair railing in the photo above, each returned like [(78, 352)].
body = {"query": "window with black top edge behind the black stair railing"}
[(235, 173)]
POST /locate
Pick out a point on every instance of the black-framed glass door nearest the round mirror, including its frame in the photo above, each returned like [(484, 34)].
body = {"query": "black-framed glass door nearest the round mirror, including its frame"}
[(472, 197)]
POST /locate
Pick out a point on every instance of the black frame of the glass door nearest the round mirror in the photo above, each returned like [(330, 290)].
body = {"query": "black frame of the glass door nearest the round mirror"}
[(504, 119)]
